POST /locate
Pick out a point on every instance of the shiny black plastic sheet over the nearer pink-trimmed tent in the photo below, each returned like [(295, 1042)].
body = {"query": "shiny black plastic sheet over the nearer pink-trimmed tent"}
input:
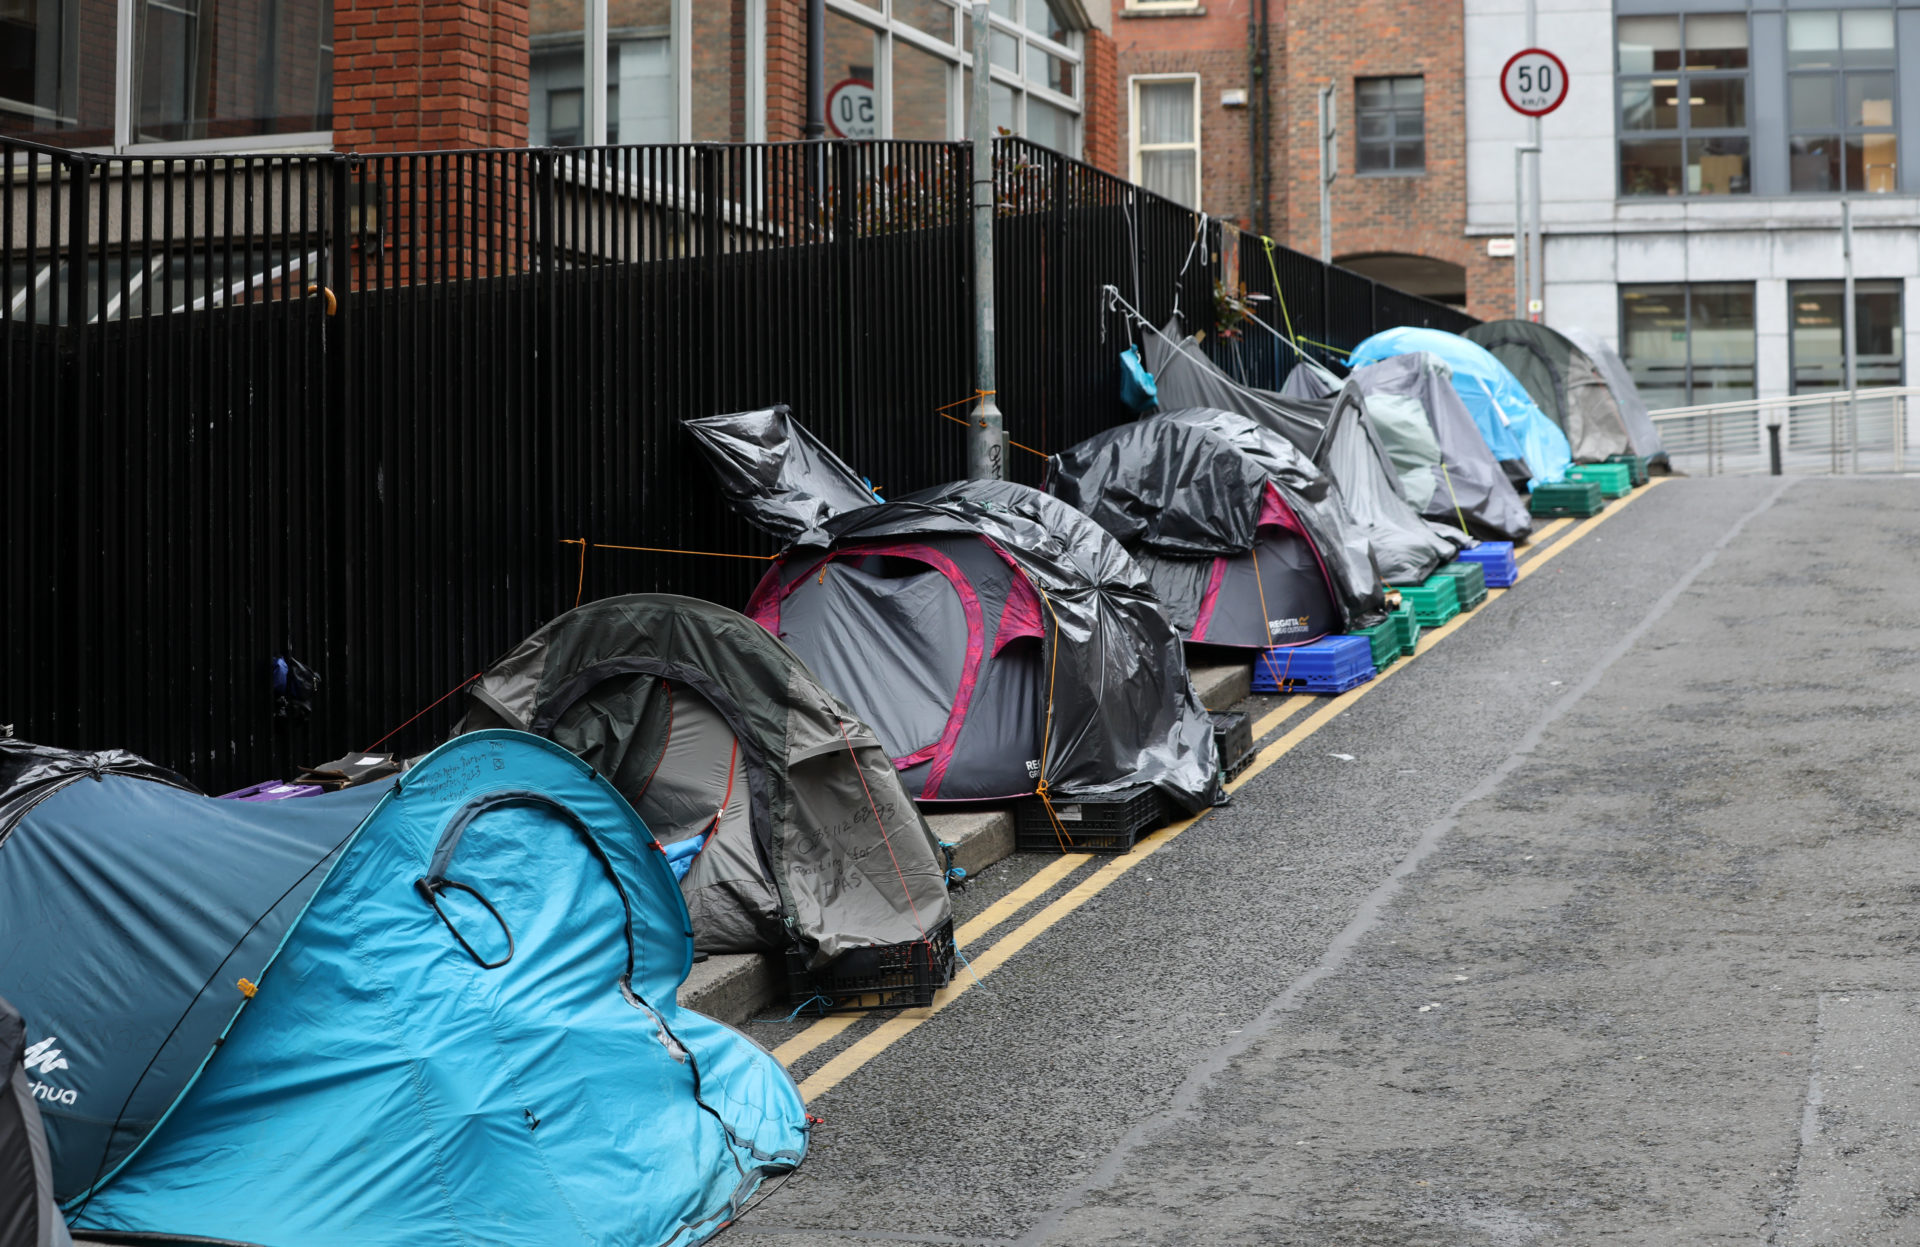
[(1120, 706)]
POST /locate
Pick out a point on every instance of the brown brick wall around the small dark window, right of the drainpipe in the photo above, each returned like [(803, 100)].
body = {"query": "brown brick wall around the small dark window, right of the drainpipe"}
[(1422, 216)]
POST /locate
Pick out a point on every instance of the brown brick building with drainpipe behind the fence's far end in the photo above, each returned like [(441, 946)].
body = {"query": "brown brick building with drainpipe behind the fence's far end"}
[(1259, 66)]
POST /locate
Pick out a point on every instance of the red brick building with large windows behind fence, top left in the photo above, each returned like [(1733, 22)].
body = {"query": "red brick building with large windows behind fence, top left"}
[(454, 74)]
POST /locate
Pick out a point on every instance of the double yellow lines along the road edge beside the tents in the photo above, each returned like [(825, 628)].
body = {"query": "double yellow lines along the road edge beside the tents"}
[(901, 1025)]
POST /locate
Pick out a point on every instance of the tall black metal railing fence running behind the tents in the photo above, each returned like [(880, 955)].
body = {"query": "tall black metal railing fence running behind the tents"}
[(350, 410)]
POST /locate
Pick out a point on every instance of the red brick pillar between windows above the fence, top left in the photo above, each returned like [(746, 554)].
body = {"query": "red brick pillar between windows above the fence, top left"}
[(429, 74)]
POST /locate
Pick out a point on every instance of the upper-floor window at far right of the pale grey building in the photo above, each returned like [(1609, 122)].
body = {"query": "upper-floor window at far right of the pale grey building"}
[(1840, 101)]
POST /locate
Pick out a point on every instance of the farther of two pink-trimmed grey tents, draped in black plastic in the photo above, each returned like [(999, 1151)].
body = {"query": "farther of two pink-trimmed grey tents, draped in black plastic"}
[(1230, 522)]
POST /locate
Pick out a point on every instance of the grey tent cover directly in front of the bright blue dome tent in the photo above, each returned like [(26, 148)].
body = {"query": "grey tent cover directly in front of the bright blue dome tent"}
[(1451, 470)]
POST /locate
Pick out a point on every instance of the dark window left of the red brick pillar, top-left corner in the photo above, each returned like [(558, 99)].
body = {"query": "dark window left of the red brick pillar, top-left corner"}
[(197, 72)]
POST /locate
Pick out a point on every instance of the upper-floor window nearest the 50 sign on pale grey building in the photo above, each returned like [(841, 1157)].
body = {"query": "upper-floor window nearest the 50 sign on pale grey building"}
[(1685, 105)]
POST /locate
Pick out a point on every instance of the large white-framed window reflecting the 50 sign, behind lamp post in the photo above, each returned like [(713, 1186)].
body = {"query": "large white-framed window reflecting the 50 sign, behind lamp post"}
[(901, 70)]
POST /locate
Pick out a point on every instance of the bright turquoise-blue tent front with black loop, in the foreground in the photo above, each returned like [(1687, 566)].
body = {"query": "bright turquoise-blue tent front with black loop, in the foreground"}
[(389, 1085)]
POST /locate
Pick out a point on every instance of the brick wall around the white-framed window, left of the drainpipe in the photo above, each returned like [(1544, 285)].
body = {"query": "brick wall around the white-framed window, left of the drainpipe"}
[(1211, 43)]
